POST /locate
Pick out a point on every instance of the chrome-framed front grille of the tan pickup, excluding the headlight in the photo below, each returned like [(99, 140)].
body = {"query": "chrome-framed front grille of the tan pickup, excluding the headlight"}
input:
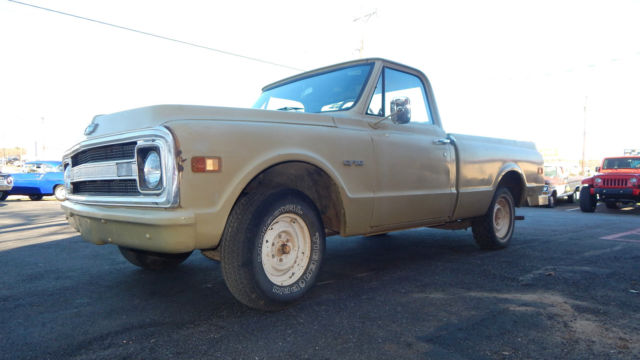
[(108, 170)]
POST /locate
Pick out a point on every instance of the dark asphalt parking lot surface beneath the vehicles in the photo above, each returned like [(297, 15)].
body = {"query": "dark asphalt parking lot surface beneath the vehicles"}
[(568, 287)]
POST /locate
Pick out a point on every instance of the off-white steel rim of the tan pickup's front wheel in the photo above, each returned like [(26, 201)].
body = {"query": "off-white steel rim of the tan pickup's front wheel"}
[(286, 249)]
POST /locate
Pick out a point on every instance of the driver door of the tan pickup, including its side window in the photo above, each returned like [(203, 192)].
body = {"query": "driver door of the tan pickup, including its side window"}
[(415, 170)]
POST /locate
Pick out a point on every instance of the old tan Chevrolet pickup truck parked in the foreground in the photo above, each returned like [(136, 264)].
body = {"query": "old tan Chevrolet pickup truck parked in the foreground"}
[(351, 149)]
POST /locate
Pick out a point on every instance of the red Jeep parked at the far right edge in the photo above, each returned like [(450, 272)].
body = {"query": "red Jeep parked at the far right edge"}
[(617, 181)]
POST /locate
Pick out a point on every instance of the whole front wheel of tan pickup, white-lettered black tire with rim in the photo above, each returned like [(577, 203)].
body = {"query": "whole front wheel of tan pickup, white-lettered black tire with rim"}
[(244, 251)]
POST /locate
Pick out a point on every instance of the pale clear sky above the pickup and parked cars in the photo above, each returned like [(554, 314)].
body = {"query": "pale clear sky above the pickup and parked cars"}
[(514, 69)]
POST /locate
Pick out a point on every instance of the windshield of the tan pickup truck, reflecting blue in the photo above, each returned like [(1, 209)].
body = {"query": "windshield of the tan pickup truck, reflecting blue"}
[(335, 90)]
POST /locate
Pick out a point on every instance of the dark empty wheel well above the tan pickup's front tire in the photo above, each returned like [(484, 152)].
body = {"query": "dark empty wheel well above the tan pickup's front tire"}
[(311, 181)]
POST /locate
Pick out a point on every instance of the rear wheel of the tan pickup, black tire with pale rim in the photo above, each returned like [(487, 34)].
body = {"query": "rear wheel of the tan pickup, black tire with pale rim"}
[(489, 230)]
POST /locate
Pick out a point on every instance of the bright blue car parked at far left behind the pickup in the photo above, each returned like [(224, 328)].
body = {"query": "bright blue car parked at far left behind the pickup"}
[(41, 178)]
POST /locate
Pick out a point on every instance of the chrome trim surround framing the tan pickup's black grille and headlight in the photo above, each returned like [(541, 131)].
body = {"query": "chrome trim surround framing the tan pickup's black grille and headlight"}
[(169, 195)]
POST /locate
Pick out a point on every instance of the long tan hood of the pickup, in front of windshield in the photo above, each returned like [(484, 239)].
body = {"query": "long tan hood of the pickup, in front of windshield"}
[(152, 116)]
